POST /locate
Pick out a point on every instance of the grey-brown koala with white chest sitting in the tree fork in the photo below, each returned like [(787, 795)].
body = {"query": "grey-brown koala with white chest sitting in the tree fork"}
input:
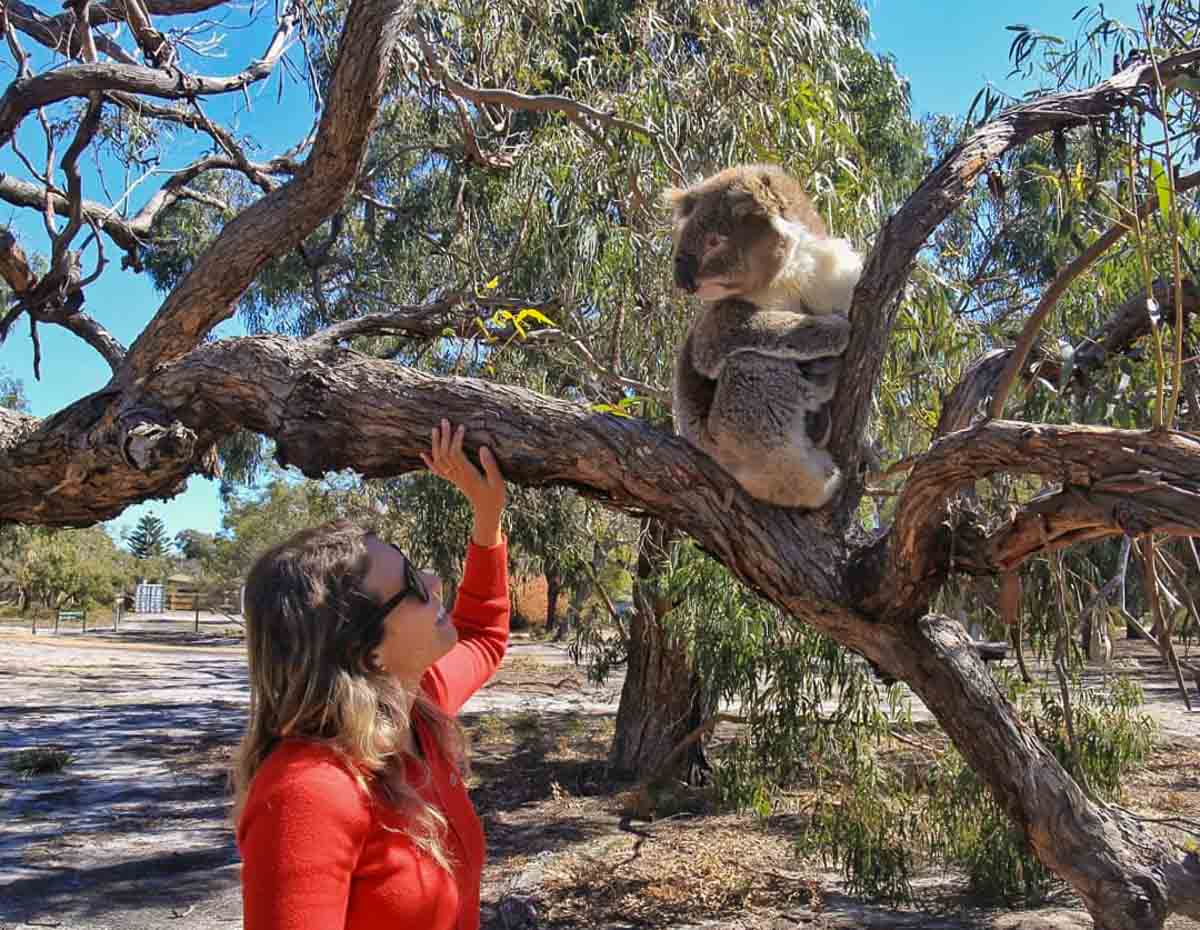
[(759, 367)]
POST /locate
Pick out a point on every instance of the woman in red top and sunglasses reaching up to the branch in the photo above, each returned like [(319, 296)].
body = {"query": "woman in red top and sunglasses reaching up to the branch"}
[(351, 806)]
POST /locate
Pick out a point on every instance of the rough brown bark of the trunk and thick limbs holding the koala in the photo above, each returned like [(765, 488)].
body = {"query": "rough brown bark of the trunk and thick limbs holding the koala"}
[(327, 407)]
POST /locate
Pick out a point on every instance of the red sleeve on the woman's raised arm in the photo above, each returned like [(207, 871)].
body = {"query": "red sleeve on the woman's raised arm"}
[(482, 616)]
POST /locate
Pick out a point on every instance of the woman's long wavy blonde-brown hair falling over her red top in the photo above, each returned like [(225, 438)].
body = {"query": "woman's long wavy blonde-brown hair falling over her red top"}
[(311, 629)]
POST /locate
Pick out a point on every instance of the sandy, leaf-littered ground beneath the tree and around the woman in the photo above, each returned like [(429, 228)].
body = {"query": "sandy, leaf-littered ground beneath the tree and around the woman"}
[(134, 833)]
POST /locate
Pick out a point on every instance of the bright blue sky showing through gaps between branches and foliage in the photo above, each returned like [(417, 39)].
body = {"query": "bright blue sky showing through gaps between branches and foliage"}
[(946, 50)]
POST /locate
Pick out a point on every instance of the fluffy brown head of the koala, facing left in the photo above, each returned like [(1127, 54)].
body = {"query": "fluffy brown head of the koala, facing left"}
[(735, 232)]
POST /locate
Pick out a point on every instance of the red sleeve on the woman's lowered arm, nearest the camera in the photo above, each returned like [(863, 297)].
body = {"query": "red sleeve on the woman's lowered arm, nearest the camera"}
[(301, 837)]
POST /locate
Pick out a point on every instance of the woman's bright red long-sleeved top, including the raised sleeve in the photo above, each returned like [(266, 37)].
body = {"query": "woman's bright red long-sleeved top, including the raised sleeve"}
[(319, 854)]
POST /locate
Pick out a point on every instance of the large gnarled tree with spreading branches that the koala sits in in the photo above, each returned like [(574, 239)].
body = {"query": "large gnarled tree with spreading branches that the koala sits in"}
[(332, 397)]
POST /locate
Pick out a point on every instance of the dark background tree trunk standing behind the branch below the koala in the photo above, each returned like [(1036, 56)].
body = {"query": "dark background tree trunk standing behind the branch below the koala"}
[(662, 701)]
